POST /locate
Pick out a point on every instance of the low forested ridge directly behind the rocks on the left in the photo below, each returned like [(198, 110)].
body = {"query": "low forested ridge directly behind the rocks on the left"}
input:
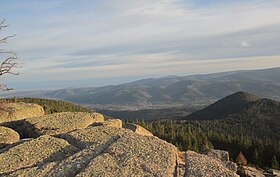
[(50, 106)]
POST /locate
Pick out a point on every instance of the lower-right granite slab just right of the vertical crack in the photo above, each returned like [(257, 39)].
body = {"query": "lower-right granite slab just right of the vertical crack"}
[(203, 165)]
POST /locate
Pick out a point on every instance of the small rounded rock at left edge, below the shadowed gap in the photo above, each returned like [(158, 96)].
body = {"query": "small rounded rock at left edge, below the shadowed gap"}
[(8, 136)]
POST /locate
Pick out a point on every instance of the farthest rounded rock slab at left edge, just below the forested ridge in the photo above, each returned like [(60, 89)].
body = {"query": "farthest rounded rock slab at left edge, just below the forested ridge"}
[(20, 111)]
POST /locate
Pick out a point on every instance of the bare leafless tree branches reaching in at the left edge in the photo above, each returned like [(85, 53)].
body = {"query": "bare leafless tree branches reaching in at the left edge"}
[(8, 62)]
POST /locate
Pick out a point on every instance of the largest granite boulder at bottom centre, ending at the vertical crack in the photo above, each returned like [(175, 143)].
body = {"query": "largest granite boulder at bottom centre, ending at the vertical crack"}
[(124, 153)]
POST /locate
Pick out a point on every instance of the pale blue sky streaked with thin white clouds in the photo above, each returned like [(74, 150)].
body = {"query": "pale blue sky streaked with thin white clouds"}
[(73, 43)]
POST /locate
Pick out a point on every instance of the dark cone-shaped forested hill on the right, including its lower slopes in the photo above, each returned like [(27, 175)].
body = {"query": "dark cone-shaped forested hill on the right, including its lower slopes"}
[(243, 112)]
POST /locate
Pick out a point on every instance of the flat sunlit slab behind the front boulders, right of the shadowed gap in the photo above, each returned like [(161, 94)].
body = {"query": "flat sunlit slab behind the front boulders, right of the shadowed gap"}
[(57, 123)]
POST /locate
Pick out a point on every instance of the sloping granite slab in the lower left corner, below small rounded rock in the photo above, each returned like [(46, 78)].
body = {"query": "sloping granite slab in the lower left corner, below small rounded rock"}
[(35, 152)]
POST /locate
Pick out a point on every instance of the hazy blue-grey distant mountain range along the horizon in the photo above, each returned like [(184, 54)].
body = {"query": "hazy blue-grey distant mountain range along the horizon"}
[(203, 89)]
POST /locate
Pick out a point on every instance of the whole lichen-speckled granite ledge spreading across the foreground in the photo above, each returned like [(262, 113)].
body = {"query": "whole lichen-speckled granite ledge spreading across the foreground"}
[(82, 144)]
